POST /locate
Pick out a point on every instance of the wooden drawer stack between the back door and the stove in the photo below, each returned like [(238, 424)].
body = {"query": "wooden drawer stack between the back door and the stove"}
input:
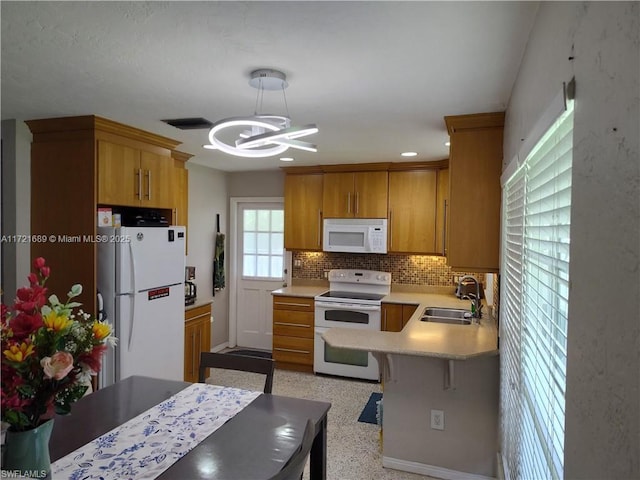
[(293, 332)]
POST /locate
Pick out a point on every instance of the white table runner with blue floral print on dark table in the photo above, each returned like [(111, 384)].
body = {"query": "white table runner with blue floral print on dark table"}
[(150, 443)]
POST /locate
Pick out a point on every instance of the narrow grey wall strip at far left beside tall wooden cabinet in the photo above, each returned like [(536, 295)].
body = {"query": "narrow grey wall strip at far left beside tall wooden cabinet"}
[(16, 205)]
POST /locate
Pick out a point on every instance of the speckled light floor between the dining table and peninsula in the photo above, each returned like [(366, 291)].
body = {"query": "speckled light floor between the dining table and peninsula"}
[(353, 448)]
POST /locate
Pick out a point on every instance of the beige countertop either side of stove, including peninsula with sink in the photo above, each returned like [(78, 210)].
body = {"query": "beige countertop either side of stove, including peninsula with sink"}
[(428, 339)]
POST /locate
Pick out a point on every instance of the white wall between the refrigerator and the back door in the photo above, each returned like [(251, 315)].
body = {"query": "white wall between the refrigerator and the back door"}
[(208, 197)]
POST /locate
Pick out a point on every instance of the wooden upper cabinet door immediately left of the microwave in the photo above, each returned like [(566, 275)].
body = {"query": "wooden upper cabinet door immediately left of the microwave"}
[(303, 212)]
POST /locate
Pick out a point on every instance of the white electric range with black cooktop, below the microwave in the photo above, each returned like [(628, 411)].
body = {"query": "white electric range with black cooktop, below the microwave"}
[(354, 300)]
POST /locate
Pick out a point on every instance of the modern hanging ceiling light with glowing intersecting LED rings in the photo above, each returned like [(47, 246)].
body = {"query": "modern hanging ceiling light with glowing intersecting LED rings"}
[(267, 135)]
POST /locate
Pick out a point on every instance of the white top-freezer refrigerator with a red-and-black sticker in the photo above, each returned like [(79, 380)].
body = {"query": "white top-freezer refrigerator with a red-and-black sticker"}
[(141, 282)]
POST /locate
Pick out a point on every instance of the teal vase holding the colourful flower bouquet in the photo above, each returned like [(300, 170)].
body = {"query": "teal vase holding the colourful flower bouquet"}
[(28, 451)]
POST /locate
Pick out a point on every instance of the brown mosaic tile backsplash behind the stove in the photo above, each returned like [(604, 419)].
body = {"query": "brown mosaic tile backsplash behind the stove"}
[(404, 269)]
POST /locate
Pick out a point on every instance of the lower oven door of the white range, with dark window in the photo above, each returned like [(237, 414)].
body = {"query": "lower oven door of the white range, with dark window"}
[(341, 361)]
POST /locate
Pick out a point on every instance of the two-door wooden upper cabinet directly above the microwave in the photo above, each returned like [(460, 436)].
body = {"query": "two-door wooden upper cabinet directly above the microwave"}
[(355, 194)]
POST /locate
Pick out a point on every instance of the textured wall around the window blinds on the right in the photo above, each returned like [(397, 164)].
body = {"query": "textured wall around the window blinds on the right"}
[(602, 438)]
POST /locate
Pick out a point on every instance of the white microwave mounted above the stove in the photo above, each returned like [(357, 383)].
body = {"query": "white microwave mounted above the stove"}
[(355, 235)]
